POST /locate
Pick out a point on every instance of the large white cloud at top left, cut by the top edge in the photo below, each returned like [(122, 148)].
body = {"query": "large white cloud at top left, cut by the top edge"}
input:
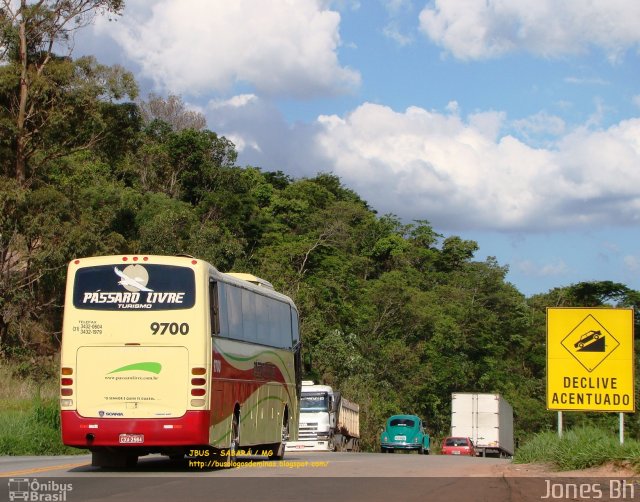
[(196, 46)]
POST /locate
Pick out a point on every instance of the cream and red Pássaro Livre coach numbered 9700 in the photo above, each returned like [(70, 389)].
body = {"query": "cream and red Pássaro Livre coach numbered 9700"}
[(168, 355)]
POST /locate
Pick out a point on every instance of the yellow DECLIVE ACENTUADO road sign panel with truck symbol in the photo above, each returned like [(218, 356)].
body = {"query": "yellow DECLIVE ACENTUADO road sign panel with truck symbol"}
[(590, 363)]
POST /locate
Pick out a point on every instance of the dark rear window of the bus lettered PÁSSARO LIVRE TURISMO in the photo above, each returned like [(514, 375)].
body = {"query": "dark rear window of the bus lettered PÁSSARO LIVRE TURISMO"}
[(134, 287)]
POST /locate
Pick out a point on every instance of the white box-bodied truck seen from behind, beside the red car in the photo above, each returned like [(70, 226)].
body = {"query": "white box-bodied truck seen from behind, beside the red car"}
[(487, 419)]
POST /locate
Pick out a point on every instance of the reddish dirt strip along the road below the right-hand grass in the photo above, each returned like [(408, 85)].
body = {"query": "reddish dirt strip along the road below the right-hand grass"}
[(609, 470)]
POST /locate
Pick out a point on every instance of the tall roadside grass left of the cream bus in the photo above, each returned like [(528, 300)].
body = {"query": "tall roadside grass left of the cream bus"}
[(29, 415)]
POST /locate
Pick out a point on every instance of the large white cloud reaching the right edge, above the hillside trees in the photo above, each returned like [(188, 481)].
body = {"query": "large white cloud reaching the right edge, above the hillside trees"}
[(461, 174)]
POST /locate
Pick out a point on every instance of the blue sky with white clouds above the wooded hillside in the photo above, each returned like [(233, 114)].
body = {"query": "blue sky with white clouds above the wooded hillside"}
[(515, 123)]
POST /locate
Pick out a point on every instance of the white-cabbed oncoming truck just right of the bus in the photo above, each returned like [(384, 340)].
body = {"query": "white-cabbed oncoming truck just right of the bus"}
[(328, 421)]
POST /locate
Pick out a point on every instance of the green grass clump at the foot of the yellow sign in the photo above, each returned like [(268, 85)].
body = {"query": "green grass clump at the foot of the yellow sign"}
[(580, 448)]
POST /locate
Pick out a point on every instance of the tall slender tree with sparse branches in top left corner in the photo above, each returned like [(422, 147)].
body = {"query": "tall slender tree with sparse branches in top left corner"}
[(29, 34)]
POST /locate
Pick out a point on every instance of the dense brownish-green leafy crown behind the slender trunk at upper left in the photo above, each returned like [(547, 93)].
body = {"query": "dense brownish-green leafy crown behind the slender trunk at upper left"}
[(71, 108)]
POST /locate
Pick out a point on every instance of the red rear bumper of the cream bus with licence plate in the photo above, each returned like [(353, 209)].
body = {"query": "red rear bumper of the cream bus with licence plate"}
[(149, 433)]
